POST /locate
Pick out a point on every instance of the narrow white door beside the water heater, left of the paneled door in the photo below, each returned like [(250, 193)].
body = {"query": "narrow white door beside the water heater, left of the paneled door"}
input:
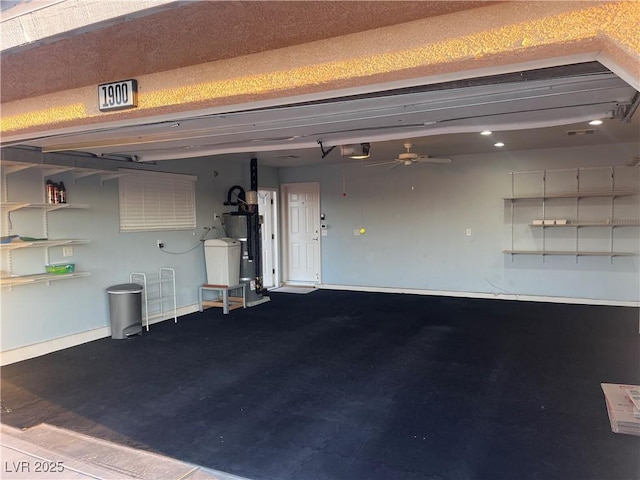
[(267, 208)]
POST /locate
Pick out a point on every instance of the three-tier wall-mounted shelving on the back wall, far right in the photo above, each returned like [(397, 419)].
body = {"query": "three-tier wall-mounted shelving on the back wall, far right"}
[(561, 199)]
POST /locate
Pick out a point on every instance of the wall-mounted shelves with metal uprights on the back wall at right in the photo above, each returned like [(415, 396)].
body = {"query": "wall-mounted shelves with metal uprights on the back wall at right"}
[(582, 215)]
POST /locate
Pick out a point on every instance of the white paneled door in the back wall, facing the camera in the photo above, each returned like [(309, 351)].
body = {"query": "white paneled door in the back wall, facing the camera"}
[(302, 207)]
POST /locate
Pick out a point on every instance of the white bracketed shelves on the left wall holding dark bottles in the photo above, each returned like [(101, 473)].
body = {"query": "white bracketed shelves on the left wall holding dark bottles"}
[(9, 208)]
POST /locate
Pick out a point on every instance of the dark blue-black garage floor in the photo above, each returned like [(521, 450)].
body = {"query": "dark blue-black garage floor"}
[(345, 385)]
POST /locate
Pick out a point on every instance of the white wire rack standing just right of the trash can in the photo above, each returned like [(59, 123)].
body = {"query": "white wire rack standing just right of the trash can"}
[(158, 289)]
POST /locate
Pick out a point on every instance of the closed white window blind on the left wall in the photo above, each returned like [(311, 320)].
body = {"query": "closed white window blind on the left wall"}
[(156, 201)]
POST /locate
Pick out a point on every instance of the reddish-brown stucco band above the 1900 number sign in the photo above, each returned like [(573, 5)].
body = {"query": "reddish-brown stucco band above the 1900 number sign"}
[(208, 31)]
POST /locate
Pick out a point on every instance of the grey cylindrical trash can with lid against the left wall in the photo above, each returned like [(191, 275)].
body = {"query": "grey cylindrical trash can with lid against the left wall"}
[(125, 309)]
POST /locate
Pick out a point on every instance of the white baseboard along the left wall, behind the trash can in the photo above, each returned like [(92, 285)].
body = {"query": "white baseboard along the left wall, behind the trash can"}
[(38, 349)]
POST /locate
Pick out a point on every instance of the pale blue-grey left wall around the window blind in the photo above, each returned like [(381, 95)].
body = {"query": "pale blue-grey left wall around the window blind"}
[(40, 312)]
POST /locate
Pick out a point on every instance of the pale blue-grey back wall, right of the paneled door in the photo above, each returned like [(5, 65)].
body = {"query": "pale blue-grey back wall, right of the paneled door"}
[(416, 219)]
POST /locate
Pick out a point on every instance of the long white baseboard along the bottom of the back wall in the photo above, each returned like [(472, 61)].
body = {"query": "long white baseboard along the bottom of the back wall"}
[(496, 296)]
